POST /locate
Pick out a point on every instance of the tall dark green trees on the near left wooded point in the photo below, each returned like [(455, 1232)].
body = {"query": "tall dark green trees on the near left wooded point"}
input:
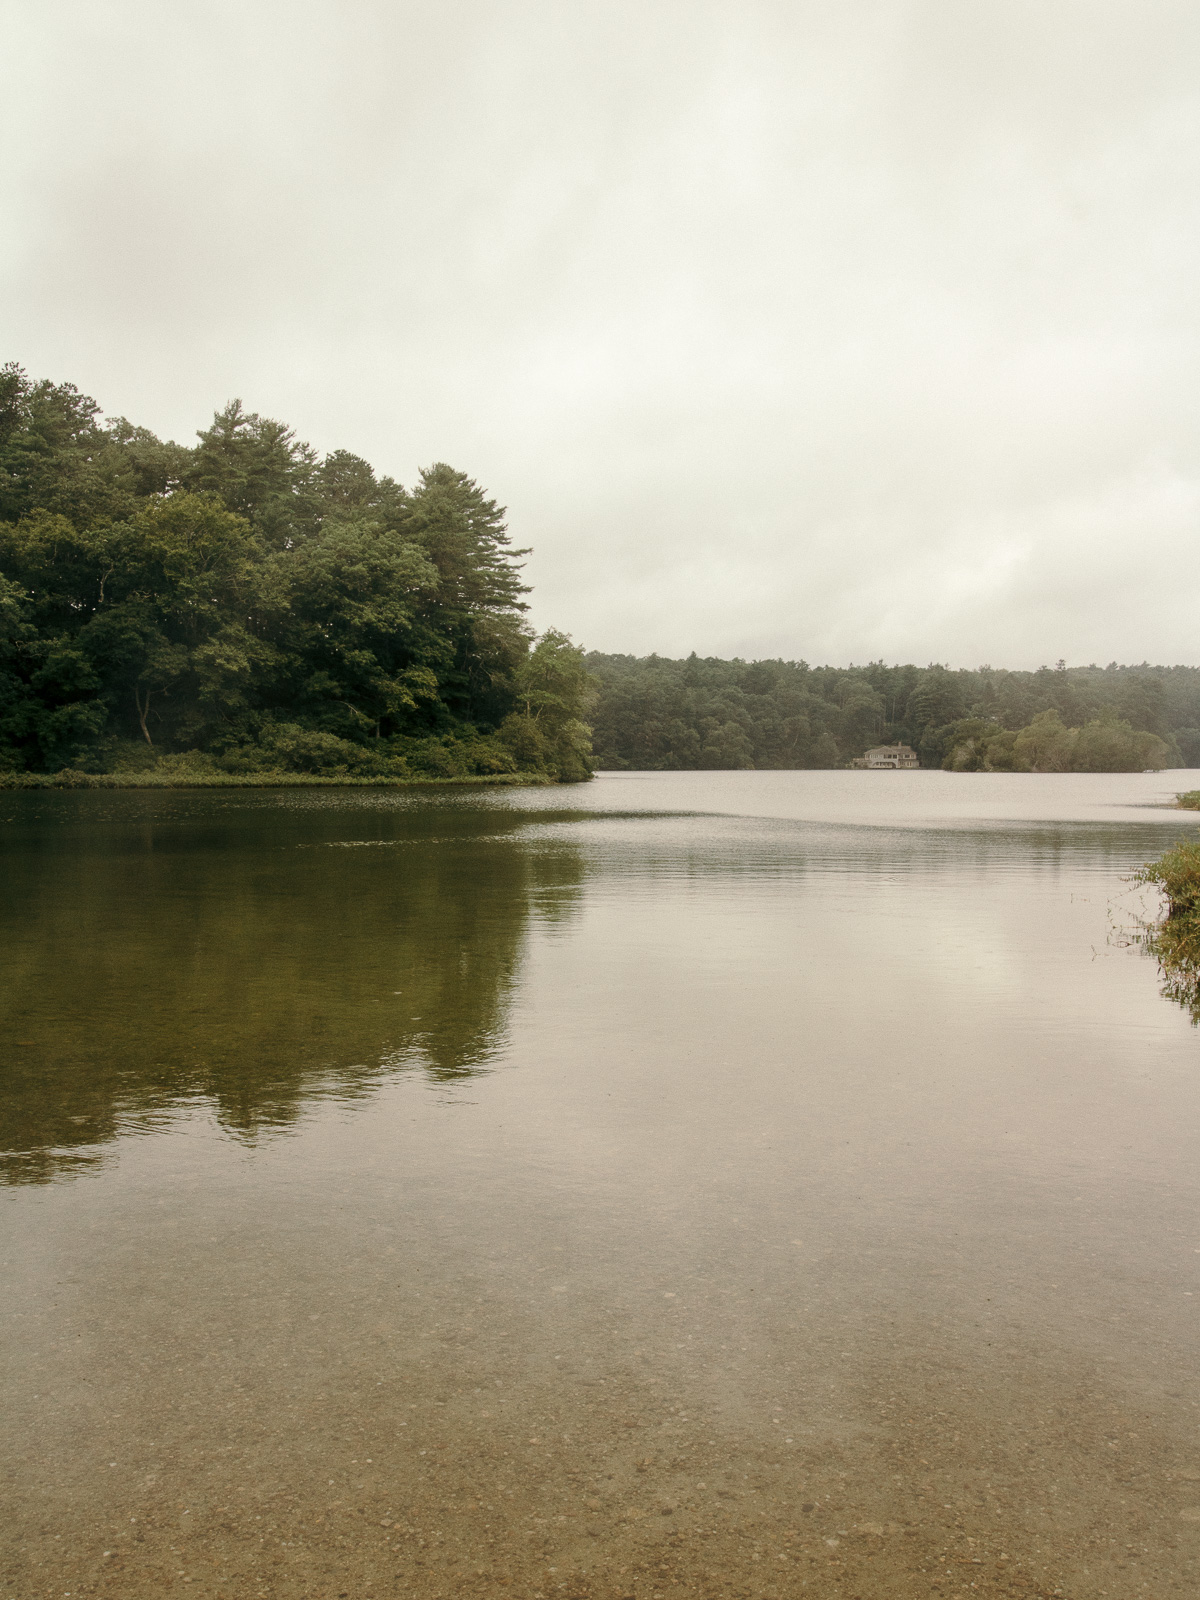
[(246, 604)]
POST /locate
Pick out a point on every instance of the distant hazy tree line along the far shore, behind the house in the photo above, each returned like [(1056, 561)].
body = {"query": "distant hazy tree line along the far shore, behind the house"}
[(658, 714)]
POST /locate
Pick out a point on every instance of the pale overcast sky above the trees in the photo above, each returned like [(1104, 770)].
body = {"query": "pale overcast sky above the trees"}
[(826, 329)]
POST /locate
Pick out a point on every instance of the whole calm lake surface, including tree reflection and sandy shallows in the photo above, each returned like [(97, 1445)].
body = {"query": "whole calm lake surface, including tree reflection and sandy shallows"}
[(706, 1183)]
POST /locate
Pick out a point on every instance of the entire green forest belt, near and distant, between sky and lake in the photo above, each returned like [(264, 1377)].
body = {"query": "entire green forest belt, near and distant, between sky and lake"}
[(246, 610)]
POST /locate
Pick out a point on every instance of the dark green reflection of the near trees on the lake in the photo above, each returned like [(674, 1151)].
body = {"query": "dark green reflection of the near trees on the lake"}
[(162, 953)]
